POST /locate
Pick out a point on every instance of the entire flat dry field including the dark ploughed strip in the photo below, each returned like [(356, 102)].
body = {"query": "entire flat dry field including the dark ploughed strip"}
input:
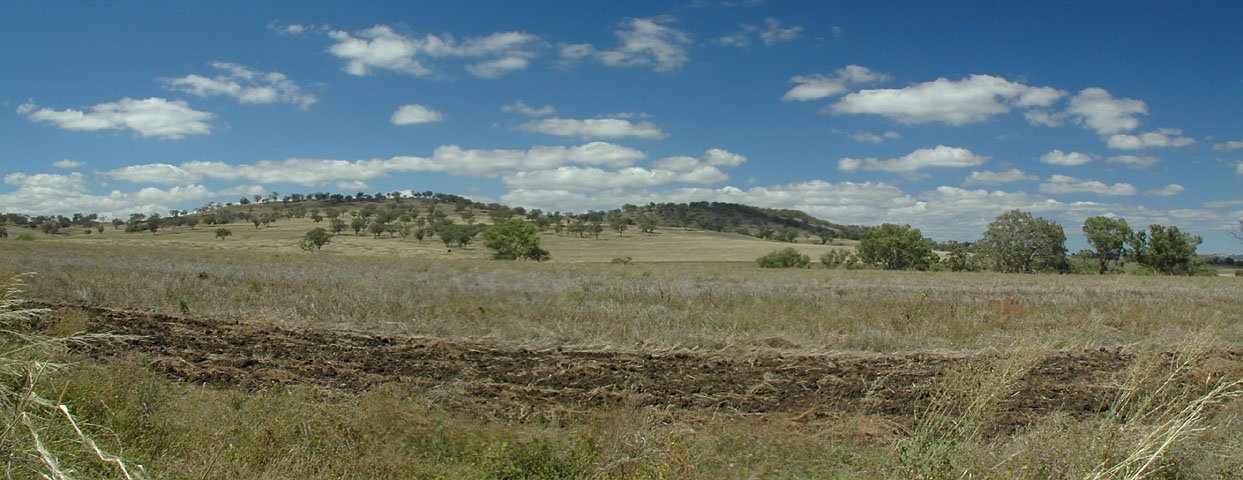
[(273, 364)]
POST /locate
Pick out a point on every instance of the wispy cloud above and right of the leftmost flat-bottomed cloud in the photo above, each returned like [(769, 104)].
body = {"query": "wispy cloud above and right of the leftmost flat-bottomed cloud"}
[(245, 85)]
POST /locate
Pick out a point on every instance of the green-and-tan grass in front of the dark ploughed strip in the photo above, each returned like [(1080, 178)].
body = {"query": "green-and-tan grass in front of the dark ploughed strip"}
[(182, 431)]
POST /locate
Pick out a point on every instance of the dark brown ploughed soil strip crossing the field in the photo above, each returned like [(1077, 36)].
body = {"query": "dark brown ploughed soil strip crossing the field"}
[(515, 382)]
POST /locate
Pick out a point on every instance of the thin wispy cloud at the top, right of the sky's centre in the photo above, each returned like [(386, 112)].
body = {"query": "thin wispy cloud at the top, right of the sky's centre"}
[(644, 43)]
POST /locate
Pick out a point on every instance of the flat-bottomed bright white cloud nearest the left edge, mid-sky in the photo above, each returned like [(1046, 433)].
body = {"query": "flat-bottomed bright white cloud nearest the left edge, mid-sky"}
[(151, 118)]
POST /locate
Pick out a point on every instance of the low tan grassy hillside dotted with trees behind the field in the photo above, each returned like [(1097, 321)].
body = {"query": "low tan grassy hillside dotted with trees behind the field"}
[(278, 227)]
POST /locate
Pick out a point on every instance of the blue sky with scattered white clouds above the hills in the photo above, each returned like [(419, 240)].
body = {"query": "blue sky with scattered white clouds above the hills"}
[(934, 115)]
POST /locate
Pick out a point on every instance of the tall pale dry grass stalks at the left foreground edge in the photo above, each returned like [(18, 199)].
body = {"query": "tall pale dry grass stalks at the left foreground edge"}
[(24, 364)]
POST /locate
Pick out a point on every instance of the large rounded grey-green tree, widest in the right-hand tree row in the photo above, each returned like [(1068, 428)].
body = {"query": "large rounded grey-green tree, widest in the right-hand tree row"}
[(1017, 243)]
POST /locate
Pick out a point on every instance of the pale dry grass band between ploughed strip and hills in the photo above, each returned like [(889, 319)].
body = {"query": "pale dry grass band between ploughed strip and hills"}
[(704, 307)]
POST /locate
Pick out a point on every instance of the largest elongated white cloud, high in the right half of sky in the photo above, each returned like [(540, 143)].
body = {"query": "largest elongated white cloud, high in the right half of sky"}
[(954, 103)]
